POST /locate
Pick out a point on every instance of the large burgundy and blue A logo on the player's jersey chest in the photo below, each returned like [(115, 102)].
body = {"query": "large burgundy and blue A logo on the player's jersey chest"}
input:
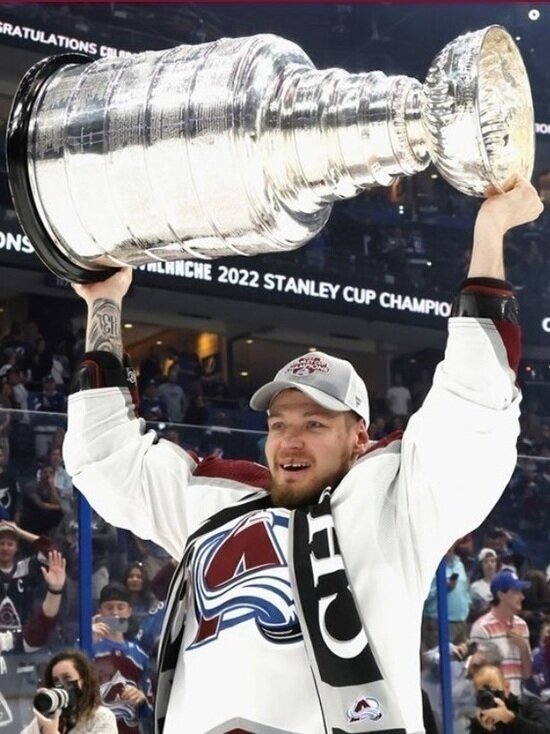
[(239, 574)]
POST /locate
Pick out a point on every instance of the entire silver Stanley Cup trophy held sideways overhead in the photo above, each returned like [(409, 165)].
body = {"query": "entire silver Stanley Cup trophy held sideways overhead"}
[(239, 146)]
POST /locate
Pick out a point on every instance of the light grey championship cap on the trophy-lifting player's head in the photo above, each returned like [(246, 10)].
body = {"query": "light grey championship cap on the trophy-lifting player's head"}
[(329, 381)]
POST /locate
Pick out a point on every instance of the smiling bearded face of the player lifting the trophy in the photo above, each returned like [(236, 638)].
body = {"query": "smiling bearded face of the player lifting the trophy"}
[(309, 448)]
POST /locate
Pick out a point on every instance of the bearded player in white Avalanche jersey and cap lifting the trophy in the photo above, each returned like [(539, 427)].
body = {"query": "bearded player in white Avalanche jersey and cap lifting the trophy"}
[(297, 603)]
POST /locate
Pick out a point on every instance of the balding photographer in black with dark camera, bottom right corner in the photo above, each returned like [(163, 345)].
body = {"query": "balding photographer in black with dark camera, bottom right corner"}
[(502, 711)]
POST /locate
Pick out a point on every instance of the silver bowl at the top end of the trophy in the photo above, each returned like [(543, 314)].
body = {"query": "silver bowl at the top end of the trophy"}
[(478, 111)]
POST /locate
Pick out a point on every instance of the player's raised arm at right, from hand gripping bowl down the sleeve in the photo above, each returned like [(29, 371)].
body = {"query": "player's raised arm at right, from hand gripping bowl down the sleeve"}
[(459, 449)]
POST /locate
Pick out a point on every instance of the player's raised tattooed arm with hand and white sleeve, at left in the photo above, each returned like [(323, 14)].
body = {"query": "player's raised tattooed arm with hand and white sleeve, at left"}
[(130, 476)]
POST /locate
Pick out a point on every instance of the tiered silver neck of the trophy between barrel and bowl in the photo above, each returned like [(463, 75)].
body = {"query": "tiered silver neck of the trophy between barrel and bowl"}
[(331, 134)]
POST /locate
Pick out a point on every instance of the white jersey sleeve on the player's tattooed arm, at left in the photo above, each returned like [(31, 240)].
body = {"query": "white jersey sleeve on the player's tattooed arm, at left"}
[(132, 478)]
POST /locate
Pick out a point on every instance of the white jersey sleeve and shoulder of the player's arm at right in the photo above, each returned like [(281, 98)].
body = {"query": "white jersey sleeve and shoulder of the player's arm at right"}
[(408, 500)]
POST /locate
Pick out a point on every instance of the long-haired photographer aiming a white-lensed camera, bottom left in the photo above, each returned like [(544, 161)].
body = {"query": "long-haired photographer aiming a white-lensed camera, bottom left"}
[(71, 699)]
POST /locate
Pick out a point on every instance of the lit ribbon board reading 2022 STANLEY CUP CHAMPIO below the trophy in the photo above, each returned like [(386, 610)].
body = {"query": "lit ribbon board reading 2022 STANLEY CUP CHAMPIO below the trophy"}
[(253, 280)]
